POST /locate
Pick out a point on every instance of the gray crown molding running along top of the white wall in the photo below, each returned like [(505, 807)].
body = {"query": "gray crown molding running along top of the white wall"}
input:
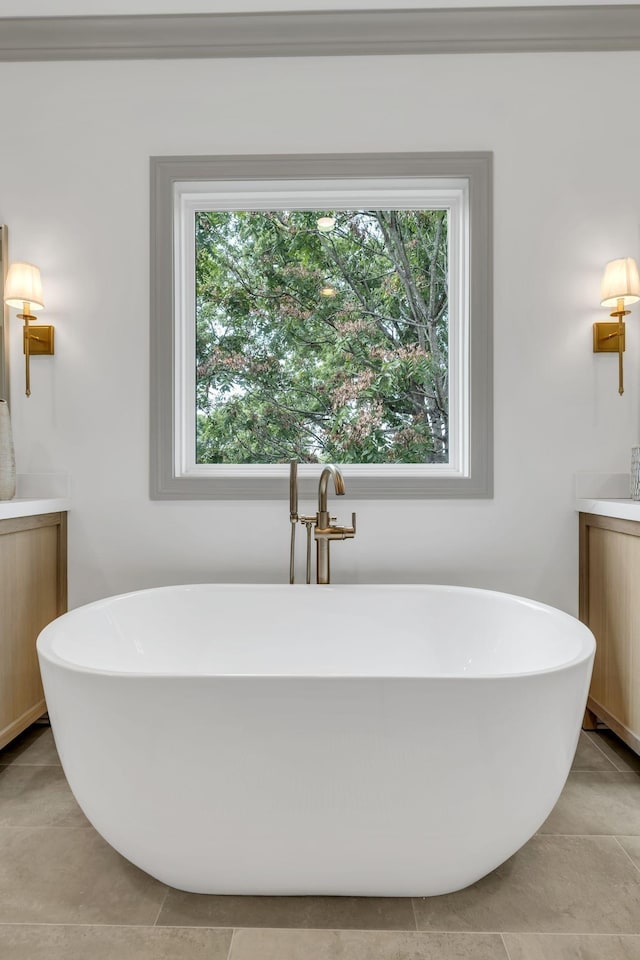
[(322, 33)]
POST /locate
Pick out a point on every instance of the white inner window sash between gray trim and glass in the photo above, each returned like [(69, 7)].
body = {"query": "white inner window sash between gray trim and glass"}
[(449, 194)]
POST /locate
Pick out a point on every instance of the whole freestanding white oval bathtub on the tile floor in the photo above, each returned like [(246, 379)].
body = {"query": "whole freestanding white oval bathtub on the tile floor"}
[(372, 740)]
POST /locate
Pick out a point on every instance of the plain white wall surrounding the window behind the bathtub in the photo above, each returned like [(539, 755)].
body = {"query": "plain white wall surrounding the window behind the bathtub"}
[(74, 191)]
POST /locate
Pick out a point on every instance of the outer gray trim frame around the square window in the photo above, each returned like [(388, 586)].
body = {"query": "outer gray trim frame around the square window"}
[(476, 167)]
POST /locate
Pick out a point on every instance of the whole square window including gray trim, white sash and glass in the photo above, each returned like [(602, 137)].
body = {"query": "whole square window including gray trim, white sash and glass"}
[(263, 236)]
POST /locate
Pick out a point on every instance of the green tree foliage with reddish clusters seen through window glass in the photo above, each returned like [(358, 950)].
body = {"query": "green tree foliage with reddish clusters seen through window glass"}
[(322, 345)]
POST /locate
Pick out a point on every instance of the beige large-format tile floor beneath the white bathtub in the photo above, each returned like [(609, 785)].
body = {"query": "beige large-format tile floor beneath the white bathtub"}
[(571, 893)]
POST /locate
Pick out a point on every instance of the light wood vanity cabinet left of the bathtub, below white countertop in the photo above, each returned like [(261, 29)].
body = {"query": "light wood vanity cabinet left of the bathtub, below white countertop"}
[(33, 591)]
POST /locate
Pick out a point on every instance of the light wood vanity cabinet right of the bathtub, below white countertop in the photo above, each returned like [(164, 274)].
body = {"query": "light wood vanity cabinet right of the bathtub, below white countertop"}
[(610, 607)]
